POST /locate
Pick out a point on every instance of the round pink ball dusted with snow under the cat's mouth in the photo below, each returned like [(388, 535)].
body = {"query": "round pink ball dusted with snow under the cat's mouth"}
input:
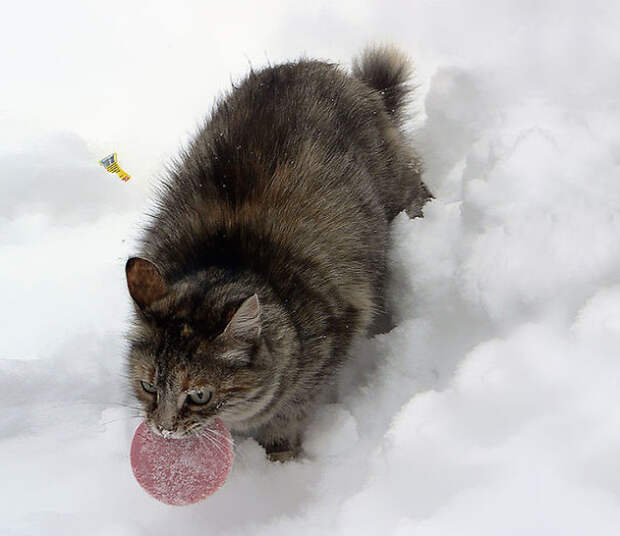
[(181, 471)]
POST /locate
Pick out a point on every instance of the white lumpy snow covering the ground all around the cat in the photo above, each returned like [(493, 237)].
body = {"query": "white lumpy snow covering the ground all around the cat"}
[(494, 405)]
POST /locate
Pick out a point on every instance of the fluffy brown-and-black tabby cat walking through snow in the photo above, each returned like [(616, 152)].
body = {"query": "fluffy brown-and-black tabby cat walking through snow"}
[(266, 253)]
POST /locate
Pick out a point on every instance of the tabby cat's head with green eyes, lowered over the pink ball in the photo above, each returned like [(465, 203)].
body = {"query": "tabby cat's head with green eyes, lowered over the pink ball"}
[(197, 351)]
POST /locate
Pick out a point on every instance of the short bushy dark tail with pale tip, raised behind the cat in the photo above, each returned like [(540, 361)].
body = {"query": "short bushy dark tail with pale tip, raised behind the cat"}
[(387, 70)]
